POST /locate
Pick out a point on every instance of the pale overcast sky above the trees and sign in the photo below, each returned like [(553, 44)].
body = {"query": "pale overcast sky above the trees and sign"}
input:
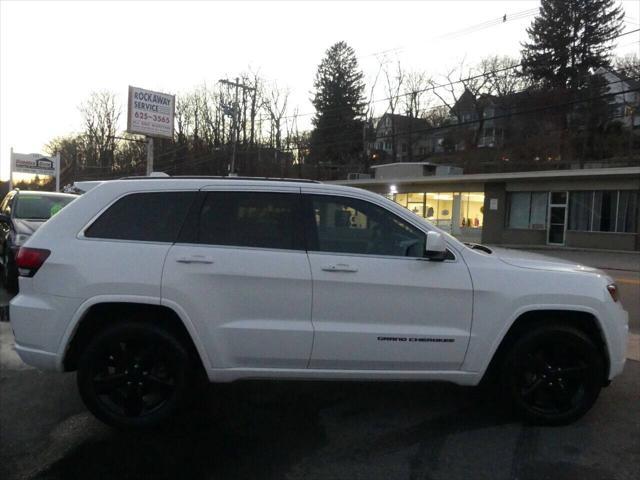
[(53, 54)]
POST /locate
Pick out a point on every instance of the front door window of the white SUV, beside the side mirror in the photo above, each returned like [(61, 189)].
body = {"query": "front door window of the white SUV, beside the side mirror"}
[(347, 225)]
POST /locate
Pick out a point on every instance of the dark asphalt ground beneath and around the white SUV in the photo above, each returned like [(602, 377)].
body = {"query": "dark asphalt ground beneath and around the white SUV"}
[(317, 430)]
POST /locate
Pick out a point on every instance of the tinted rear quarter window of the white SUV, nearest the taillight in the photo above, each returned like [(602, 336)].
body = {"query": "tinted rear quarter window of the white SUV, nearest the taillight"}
[(153, 217)]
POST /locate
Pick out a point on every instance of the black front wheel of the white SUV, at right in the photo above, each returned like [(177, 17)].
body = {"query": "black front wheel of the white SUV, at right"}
[(553, 374)]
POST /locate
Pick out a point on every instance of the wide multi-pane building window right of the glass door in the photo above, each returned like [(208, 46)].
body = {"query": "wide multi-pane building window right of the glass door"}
[(603, 211)]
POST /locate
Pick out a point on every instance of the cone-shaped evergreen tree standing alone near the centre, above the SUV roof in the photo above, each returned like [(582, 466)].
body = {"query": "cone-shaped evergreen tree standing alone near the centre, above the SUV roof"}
[(339, 103)]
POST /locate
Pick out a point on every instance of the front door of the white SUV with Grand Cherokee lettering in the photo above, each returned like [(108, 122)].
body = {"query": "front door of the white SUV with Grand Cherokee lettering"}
[(377, 303)]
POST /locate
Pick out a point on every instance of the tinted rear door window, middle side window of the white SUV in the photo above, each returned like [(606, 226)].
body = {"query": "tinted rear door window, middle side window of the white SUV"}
[(250, 219)]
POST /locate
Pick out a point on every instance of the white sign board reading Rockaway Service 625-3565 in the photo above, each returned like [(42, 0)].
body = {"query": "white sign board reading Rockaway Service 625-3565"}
[(150, 113)]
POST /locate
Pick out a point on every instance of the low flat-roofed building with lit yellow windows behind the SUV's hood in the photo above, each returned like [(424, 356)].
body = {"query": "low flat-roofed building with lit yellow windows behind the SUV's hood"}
[(586, 208)]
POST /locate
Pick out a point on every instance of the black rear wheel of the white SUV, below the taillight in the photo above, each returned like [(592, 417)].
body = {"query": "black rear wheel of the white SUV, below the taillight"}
[(134, 375)]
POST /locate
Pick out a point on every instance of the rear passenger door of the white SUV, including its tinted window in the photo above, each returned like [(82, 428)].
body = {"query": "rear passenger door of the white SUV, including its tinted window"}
[(241, 274)]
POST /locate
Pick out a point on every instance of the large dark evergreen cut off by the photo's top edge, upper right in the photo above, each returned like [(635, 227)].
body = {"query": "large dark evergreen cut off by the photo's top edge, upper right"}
[(570, 38)]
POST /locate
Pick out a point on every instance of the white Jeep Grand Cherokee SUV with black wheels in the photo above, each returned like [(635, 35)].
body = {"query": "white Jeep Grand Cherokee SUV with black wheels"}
[(141, 284)]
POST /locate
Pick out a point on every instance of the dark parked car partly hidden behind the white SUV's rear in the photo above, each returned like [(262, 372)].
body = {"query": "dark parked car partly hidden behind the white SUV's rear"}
[(21, 214)]
